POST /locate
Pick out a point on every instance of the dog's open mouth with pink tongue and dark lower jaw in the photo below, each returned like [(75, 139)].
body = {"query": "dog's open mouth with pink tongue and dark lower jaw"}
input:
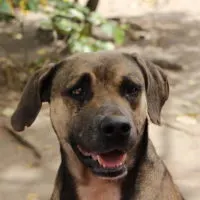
[(108, 165)]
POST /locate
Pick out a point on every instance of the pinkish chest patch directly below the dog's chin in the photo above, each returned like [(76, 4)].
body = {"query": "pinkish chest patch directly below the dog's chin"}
[(99, 191)]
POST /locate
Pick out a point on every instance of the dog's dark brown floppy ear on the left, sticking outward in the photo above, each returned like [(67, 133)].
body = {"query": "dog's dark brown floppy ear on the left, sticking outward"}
[(36, 91)]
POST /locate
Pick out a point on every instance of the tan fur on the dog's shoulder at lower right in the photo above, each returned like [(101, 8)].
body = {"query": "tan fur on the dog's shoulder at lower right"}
[(155, 177)]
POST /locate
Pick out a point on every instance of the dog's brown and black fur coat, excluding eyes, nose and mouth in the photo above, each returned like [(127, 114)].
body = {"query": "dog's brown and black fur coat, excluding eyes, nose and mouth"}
[(147, 177)]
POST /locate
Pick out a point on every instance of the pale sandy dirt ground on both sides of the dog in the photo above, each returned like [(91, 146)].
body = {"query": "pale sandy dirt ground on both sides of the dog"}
[(173, 33)]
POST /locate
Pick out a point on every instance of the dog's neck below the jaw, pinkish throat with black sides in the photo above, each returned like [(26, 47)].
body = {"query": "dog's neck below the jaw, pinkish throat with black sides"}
[(86, 186)]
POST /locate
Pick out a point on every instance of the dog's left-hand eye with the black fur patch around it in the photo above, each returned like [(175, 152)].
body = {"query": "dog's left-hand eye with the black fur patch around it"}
[(81, 91)]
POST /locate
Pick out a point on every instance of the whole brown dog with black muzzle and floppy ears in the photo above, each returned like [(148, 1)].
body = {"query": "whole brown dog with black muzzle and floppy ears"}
[(99, 104)]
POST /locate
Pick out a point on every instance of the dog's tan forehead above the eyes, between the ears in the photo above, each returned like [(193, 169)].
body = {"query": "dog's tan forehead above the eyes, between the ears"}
[(105, 66)]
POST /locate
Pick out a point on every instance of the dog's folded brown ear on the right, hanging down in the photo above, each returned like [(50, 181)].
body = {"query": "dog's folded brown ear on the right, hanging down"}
[(157, 87)]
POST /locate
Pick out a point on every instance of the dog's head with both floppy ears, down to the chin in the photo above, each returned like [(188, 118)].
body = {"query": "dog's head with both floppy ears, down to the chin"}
[(99, 104)]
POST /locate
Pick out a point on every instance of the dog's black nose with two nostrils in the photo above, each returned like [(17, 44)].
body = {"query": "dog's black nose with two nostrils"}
[(115, 126)]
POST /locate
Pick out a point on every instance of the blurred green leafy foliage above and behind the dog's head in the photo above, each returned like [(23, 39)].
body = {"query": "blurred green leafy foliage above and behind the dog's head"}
[(71, 22)]
